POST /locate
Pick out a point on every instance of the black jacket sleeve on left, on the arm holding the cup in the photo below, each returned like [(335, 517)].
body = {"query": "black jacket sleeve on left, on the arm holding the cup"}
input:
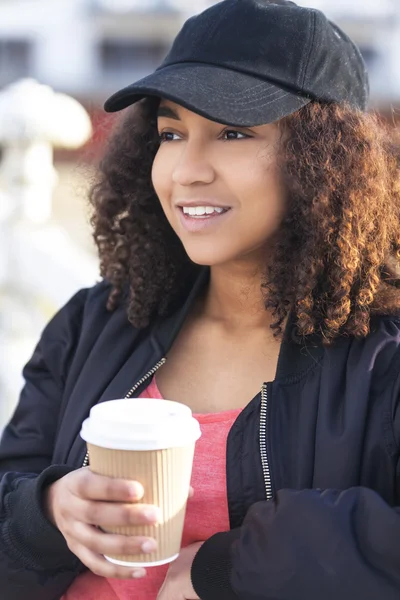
[(32, 550)]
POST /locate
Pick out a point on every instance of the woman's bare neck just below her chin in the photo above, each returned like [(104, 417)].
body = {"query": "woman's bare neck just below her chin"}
[(234, 296)]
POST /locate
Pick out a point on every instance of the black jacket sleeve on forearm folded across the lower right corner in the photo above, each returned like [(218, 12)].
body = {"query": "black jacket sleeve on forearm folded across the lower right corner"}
[(306, 544)]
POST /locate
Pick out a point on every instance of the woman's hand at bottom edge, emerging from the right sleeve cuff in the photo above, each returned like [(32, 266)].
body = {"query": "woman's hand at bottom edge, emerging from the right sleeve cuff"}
[(178, 583)]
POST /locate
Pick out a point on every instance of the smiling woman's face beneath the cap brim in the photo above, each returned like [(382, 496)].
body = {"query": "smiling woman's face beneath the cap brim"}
[(218, 185)]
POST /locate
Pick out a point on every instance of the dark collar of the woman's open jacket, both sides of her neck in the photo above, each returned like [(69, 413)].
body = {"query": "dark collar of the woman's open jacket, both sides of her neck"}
[(294, 361)]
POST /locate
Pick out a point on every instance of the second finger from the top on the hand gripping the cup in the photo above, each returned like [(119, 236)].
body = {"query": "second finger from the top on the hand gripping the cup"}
[(116, 514)]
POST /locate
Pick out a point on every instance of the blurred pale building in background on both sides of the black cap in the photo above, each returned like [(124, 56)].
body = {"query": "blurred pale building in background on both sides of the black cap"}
[(112, 42)]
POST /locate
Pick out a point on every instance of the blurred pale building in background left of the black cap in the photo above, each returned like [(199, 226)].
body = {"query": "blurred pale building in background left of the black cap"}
[(87, 48)]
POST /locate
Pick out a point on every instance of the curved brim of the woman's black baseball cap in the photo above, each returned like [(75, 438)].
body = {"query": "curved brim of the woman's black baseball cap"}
[(219, 94)]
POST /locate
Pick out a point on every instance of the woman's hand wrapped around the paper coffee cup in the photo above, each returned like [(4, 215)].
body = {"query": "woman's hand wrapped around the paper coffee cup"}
[(82, 501)]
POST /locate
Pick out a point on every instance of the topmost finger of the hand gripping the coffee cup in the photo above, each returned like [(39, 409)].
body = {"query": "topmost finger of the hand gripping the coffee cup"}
[(92, 486)]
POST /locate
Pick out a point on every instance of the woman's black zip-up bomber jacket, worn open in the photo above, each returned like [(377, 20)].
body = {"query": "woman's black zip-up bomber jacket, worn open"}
[(330, 461)]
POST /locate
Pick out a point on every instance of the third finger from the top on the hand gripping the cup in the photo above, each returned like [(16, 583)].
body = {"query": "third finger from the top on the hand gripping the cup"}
[(112, 544)]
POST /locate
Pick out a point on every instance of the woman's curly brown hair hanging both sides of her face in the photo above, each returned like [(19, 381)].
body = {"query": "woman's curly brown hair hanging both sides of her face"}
[(335, 260)]
